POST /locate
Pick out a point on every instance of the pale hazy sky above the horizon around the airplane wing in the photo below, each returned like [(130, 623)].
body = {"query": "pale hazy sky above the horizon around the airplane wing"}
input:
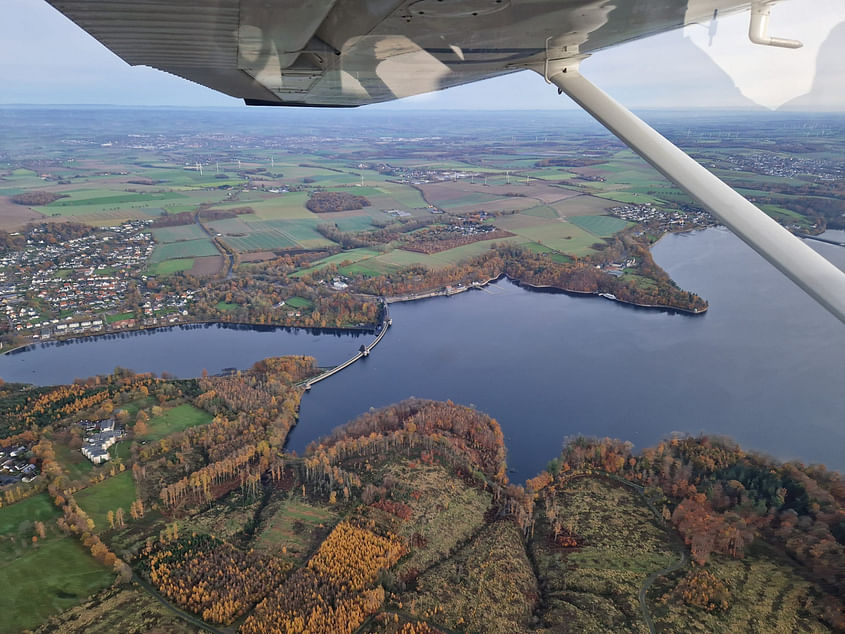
[(46, 59)]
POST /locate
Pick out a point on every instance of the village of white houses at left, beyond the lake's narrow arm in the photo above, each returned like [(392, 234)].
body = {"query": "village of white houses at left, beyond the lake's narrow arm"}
[(85, 285)]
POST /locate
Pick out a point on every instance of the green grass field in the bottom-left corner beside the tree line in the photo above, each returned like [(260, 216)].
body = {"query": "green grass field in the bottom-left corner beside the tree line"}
[(48, 579)]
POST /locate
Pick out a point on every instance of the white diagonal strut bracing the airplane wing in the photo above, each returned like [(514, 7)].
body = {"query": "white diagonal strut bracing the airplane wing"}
[(813, 273)]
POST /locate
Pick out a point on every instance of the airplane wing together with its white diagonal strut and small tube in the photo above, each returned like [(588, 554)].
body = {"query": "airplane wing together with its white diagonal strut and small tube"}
[(354, 52)]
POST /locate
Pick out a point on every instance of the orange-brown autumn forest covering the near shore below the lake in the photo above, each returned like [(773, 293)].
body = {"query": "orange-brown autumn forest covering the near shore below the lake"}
[(417, 527)]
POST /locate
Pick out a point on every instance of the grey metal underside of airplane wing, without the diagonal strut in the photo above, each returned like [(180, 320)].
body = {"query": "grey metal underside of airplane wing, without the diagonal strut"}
[(354, 52)]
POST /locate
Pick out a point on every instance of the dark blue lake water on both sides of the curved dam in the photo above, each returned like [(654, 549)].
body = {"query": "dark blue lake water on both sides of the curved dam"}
[(764, 365)]
